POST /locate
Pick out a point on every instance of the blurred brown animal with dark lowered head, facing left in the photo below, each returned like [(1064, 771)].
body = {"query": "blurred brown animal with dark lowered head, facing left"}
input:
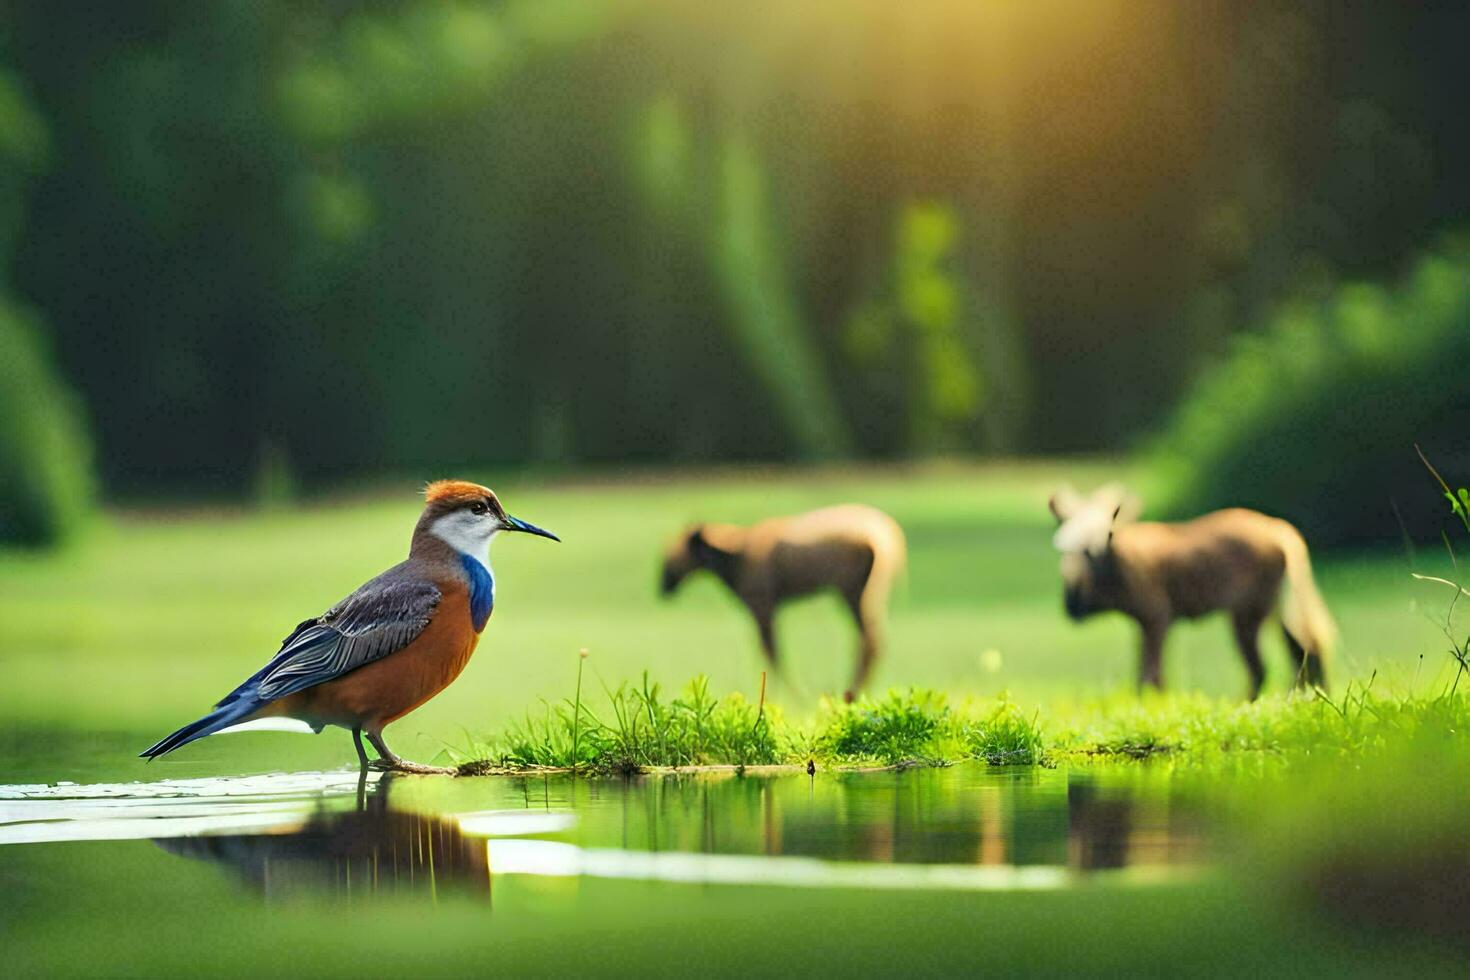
[(850, 549)]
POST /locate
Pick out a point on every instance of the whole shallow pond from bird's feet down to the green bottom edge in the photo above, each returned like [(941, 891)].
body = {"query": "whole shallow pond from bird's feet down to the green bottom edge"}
[(933, 871)]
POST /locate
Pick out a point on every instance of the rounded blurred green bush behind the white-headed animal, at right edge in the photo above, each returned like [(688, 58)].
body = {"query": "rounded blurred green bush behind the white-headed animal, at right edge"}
[(1315, 418)]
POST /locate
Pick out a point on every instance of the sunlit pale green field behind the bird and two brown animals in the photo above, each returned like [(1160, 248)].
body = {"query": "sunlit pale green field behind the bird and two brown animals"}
[(161, 613)]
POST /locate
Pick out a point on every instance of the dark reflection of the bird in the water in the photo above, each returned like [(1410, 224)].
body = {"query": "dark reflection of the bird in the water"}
[(371, 850)]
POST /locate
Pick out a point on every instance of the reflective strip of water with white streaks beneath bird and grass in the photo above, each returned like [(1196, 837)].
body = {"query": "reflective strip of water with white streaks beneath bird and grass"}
[(964, 828)]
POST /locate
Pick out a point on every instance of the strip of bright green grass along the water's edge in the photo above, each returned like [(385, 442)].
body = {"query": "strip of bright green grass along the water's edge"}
[(642, 728)]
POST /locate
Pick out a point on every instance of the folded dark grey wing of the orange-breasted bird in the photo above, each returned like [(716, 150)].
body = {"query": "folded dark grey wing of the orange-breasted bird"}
[(381, 618)]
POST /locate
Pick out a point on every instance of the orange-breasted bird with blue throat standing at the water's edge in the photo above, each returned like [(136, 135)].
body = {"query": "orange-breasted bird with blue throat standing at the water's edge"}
[(389, 647)]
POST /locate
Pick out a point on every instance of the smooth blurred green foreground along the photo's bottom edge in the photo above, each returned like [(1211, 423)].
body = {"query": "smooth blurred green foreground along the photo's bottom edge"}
[(596, 928)]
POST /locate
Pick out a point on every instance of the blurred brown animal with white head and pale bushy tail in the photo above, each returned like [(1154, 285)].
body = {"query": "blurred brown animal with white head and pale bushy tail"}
[(1231, 561)]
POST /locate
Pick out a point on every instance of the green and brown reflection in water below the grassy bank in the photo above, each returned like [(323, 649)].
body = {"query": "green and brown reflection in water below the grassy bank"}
[(919, 818)]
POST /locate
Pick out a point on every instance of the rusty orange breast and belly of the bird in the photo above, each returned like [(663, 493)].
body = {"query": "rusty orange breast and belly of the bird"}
[(392, 687)]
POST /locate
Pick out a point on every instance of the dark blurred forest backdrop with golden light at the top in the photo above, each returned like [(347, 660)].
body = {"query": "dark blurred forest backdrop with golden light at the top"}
[(274, 242)]
